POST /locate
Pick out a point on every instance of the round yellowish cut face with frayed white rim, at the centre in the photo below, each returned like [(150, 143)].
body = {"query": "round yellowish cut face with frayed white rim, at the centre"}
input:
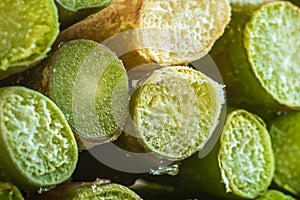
[(176, 111)]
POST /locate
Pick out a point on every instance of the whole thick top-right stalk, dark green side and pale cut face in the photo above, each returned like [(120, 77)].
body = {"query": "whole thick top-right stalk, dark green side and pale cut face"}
[(260, 56)]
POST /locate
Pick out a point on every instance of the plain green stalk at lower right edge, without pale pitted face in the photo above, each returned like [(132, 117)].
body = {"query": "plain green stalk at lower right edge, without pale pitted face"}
[(285, 141)]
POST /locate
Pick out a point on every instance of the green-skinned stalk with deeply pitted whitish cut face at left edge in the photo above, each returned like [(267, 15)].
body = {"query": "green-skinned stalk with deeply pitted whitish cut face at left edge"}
[(38, 148)]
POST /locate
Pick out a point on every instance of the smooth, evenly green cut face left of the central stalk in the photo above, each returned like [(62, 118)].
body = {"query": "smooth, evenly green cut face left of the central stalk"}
[(89, 84)]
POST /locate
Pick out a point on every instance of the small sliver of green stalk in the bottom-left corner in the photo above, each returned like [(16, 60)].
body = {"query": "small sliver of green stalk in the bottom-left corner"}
[(10, 192)]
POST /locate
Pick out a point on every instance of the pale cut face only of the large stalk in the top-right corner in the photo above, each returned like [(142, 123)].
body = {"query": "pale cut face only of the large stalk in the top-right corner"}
[(271, 39)]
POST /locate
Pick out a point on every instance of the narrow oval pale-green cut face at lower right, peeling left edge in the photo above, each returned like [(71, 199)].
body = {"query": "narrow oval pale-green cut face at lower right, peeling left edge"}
[(245, 156)]
